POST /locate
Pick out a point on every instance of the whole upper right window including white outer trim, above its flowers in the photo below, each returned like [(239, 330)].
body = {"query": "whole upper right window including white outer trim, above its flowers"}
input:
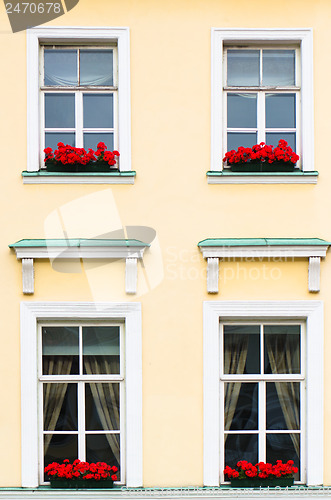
[(262, 91)]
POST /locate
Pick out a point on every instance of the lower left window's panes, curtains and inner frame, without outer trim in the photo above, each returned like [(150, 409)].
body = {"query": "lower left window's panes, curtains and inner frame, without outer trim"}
[(82, 394)]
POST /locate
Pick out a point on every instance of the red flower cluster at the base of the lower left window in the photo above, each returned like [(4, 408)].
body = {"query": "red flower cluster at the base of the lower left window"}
[(81, 470)]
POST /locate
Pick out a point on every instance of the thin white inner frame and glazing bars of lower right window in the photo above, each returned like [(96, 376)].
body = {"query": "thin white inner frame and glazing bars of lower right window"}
[(261, 379)]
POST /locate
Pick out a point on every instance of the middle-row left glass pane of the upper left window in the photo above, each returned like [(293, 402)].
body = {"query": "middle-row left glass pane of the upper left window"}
[(59, 111)]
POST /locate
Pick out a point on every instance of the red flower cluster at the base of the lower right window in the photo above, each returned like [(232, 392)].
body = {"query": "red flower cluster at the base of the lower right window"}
[(261, 470)]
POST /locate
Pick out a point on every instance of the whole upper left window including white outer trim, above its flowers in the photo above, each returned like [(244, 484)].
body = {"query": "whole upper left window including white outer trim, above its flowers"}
[(78, 87)]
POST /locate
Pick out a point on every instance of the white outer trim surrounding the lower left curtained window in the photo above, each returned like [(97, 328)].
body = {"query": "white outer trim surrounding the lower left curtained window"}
[(31, 313)]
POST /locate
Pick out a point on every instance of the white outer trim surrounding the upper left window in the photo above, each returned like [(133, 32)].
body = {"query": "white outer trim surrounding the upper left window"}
[(36, 36)]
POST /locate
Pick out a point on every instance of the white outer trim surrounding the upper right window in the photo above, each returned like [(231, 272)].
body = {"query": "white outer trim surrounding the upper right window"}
[(303, 36)]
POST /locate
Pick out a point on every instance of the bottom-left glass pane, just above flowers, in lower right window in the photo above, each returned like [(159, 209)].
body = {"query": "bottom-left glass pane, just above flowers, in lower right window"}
[(240, 447)]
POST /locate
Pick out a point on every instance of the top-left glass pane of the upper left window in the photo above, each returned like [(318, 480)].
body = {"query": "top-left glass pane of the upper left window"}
[(60, 67)]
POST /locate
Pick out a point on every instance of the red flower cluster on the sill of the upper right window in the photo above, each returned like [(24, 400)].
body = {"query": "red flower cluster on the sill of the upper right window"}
[(262, 152)]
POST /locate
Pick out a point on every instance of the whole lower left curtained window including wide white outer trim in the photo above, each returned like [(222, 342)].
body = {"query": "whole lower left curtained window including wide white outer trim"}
[(81, 386)]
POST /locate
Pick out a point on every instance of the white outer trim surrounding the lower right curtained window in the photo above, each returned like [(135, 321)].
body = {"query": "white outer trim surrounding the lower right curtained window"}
[(312, 313)]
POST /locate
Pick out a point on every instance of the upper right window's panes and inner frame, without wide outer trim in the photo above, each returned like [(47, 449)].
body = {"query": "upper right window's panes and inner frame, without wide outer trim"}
[(261, 96)]
